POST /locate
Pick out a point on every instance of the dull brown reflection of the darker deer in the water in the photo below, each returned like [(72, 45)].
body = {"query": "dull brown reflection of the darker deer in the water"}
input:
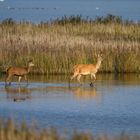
[(18, 94)]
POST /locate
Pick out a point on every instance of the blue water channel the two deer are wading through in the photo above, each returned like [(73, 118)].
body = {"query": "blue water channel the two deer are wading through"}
[(111, 106)]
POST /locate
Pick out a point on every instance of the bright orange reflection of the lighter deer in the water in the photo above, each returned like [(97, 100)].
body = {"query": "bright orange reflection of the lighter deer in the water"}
[(86, 93)]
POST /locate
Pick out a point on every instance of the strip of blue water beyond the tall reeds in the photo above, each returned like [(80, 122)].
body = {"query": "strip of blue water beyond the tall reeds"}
[(44, 10)]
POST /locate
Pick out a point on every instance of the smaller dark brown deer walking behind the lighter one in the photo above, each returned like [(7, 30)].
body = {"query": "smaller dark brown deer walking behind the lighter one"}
[(21, 72)]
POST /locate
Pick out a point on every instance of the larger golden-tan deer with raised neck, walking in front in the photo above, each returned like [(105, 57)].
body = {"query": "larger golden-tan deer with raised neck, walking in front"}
[(86, 69)]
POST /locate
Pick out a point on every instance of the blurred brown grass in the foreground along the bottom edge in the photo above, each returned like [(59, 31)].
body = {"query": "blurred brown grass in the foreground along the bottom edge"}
[(9, 131)]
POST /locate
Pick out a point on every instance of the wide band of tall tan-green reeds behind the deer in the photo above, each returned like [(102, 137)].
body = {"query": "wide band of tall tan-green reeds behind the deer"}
[(56, 46)]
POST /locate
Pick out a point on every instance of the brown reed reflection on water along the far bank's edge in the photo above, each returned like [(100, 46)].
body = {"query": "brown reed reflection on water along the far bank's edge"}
[(110, 79)]
